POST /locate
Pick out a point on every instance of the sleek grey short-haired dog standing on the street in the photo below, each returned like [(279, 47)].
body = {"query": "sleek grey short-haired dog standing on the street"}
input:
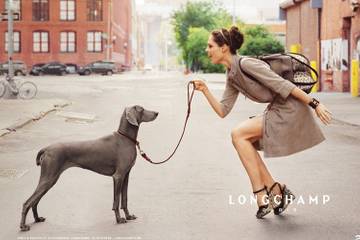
[(113, 155)]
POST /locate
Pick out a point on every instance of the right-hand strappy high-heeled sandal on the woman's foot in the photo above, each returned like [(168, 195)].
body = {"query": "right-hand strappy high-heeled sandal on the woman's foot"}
[(286, 198)]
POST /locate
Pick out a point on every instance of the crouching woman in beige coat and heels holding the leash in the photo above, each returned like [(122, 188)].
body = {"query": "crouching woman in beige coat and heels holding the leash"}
[(278, 132)]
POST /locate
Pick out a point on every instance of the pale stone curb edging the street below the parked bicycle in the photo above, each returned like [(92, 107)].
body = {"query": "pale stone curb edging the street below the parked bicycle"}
[(23, 122)]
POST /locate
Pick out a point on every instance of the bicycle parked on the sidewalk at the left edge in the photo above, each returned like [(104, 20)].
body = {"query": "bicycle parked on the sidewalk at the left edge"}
[(24, 90)]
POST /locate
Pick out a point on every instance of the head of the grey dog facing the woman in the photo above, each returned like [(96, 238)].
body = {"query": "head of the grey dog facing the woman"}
[(137, 114)]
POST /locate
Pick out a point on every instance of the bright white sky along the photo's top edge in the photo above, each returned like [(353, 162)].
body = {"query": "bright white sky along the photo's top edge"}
[(247, 10)]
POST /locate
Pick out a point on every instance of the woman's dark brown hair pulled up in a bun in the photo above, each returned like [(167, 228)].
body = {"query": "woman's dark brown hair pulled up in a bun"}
[(233, 38)]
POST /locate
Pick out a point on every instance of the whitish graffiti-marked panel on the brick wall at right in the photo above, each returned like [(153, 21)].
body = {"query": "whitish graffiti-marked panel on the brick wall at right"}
[(334, 54)]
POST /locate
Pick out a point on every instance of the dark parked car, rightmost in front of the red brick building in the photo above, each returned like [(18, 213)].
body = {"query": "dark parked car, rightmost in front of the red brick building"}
[(102, 67)]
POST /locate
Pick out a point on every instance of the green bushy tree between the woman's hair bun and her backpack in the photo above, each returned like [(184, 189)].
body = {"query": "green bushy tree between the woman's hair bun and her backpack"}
[(259, 41)]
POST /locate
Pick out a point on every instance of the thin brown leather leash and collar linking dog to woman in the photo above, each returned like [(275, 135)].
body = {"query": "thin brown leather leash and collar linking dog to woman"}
[(189, 100)]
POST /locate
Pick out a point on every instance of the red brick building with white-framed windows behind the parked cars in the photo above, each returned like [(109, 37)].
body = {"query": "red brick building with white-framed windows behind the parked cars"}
[(69, 31)]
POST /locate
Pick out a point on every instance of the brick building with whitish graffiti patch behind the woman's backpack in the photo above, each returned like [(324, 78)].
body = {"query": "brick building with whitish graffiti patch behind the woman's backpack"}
[(328, 32)]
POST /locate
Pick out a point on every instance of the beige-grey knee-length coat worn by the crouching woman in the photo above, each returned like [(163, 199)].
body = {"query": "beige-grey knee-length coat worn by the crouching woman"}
[(289, 125)]
